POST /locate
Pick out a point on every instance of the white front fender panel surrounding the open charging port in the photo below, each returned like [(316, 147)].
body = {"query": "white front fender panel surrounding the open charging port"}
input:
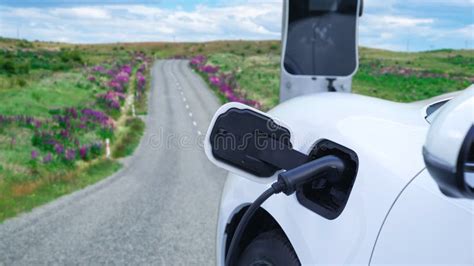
[(387, 137)]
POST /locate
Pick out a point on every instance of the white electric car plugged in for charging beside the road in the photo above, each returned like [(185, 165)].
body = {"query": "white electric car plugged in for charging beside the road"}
[(395, 213)]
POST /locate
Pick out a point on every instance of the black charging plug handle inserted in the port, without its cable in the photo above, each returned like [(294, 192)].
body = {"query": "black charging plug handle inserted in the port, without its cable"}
[(296, 177)]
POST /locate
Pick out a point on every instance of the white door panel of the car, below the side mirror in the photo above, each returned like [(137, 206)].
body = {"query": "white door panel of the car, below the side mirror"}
[(426, 227)]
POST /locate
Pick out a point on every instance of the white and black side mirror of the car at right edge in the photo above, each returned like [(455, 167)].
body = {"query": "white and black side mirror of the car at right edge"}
[(449, 148)]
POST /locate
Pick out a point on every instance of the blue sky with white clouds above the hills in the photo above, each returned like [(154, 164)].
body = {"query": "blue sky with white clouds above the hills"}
[(403, 25)]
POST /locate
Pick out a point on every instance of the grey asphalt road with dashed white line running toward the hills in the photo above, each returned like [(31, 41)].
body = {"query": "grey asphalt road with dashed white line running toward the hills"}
[(160, 209)]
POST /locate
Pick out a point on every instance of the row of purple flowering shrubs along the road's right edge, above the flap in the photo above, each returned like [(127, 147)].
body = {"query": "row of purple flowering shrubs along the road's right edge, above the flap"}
[(225, 83)]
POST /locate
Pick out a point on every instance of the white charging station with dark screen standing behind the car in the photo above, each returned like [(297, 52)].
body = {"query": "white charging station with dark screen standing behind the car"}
[(320, 46)]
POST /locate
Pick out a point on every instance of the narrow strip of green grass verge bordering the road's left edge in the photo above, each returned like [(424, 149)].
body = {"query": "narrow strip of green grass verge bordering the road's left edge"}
[(18, 197)]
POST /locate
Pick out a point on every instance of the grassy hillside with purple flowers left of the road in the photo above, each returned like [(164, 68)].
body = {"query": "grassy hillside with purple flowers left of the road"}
[(58, 105)]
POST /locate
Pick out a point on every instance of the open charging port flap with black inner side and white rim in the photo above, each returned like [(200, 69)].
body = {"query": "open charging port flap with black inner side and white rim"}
[(252, 142)]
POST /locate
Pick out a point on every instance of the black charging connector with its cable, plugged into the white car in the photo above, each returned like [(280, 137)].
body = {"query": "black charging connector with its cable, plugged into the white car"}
[(288, 182)]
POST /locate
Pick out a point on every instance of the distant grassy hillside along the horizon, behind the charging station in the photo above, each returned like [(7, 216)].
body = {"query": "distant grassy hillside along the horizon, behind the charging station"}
[(396, 76)]
